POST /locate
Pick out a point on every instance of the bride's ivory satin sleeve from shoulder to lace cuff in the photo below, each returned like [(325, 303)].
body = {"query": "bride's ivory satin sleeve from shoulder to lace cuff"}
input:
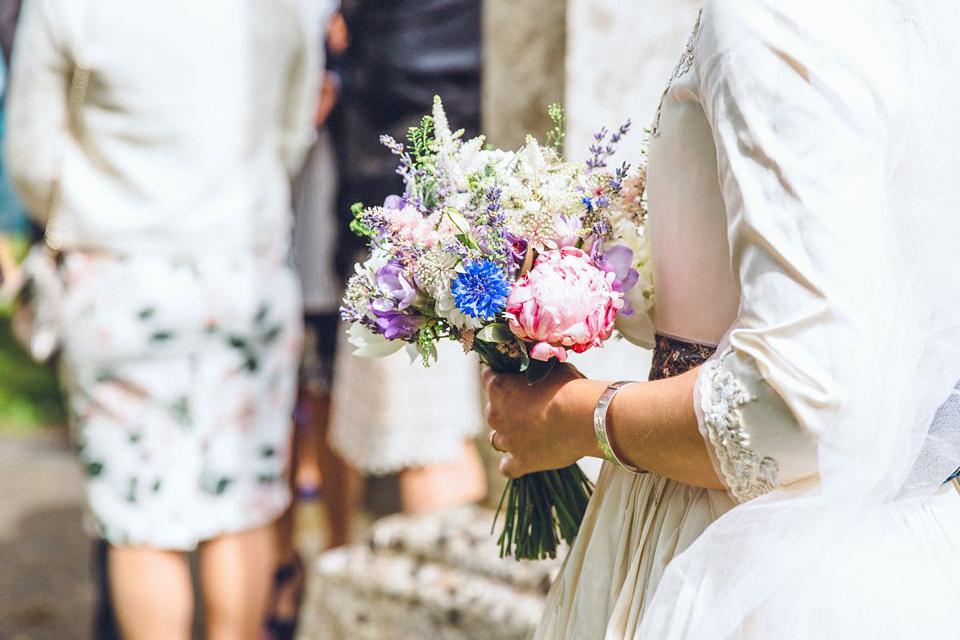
[(797, 132)]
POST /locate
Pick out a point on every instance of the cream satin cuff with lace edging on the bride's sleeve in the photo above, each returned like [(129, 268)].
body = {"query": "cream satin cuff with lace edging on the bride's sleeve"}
[(755, 441)]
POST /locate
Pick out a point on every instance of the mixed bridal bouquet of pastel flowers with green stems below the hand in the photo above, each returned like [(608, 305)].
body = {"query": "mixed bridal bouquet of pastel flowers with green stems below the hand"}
[(519, 256)]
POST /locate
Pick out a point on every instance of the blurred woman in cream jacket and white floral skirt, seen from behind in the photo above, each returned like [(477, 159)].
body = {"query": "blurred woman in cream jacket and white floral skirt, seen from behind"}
[(183, 323)]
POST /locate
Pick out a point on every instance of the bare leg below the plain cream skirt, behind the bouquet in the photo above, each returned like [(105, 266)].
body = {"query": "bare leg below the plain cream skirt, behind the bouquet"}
[(456, 483)]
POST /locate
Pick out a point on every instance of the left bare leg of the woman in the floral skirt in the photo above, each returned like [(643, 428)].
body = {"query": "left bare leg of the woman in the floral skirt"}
[(152, 593)]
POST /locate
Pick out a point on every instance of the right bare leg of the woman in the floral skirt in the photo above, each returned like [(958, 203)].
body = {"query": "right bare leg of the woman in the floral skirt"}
[(235, 574)]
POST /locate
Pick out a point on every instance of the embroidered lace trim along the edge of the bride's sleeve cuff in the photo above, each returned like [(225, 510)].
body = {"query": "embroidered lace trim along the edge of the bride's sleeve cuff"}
[(721, 396)]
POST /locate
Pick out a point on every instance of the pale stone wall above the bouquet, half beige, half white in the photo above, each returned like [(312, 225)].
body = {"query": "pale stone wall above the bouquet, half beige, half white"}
[(605, 60)]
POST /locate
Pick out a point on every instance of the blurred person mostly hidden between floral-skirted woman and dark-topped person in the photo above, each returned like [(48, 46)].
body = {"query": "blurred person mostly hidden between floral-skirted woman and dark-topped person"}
[(314, 463)]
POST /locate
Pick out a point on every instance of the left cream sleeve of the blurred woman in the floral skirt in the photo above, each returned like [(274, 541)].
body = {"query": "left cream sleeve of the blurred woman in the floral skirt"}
[(37, 131)]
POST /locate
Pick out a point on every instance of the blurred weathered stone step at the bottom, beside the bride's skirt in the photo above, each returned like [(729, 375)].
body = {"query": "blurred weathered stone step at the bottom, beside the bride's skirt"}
[(425, 577)]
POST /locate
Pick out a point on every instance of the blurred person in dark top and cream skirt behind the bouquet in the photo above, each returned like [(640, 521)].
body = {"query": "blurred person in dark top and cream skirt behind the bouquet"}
[(391, 416)]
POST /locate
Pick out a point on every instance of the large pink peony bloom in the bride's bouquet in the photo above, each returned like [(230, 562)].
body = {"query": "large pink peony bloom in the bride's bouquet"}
[(564, 302)]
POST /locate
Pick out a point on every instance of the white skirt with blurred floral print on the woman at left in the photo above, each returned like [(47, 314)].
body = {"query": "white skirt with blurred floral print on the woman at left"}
[(180, 375)]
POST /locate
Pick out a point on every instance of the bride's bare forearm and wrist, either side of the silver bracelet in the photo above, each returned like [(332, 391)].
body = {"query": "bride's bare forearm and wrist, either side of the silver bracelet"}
[(651, 425)]
